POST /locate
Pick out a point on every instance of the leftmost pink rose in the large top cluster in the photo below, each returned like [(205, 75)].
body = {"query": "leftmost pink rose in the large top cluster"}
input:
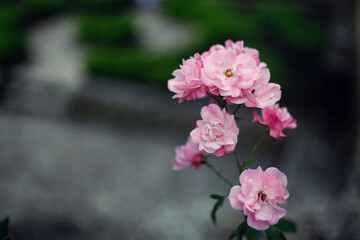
[(187, 83)]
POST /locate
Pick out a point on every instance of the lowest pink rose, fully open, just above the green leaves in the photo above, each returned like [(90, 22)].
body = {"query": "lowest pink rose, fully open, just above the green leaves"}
[(258, 196)]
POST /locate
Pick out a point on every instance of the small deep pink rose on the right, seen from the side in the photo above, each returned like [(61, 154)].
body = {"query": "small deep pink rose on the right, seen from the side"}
[(277, 119)]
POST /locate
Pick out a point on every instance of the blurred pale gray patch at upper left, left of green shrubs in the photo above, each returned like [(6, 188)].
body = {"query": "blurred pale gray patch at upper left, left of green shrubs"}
[(56, 58)]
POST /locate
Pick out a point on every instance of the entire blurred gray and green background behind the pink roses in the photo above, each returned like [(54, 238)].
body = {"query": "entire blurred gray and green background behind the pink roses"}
[(88, 127)]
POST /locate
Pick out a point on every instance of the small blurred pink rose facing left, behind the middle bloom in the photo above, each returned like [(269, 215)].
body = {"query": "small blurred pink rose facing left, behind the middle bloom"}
[(187, 155)]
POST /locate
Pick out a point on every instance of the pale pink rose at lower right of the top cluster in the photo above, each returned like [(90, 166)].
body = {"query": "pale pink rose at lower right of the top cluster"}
[(261, 95)]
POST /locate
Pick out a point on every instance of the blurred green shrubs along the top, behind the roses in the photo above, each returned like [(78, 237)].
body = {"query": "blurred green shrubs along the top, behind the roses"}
[(275, 28)]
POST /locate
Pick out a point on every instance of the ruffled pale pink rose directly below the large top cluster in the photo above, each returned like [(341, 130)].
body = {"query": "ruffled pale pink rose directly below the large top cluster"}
[(216, 132)]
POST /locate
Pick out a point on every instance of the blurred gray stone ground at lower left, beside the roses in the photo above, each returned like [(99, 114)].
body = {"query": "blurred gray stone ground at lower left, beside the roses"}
[(55, 169)]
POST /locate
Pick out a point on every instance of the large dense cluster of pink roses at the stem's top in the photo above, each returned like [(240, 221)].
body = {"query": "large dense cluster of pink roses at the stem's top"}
[(232, 71)]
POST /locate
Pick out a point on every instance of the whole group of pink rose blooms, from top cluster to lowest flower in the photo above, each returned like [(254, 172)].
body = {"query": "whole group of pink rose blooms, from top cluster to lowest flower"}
[(233, 74)]
